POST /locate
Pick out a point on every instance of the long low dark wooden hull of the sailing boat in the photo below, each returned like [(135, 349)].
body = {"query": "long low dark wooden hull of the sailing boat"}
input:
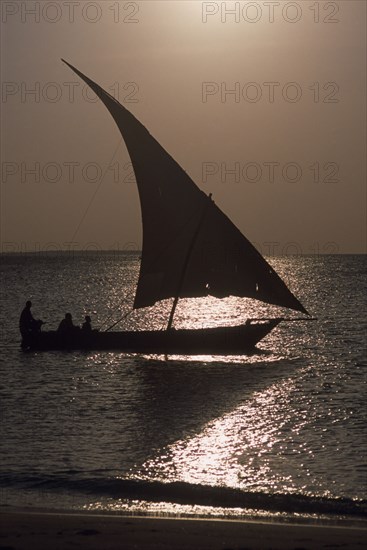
[(235, 340)]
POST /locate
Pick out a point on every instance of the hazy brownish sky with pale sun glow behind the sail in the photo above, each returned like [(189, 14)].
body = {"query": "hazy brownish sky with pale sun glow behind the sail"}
[(262, 103)]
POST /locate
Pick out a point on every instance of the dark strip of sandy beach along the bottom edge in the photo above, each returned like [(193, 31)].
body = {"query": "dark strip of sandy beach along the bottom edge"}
[(34, 530)]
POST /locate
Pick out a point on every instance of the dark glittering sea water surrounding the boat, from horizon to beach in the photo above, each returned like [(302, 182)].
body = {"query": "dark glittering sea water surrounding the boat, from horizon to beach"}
[(282, 431)]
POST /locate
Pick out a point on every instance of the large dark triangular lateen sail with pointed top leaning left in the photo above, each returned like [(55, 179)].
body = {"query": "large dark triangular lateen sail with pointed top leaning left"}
[(177, 258)]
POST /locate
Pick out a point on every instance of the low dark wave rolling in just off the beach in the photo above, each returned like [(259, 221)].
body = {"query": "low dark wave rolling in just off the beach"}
[(186, 493)]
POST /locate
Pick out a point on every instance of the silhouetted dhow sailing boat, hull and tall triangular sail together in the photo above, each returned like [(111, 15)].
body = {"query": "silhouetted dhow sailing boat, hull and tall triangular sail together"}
[(190, 249)]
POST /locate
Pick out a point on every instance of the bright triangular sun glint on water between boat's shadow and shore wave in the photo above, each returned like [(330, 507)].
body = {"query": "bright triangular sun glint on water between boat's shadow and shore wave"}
[(256, 447)]
